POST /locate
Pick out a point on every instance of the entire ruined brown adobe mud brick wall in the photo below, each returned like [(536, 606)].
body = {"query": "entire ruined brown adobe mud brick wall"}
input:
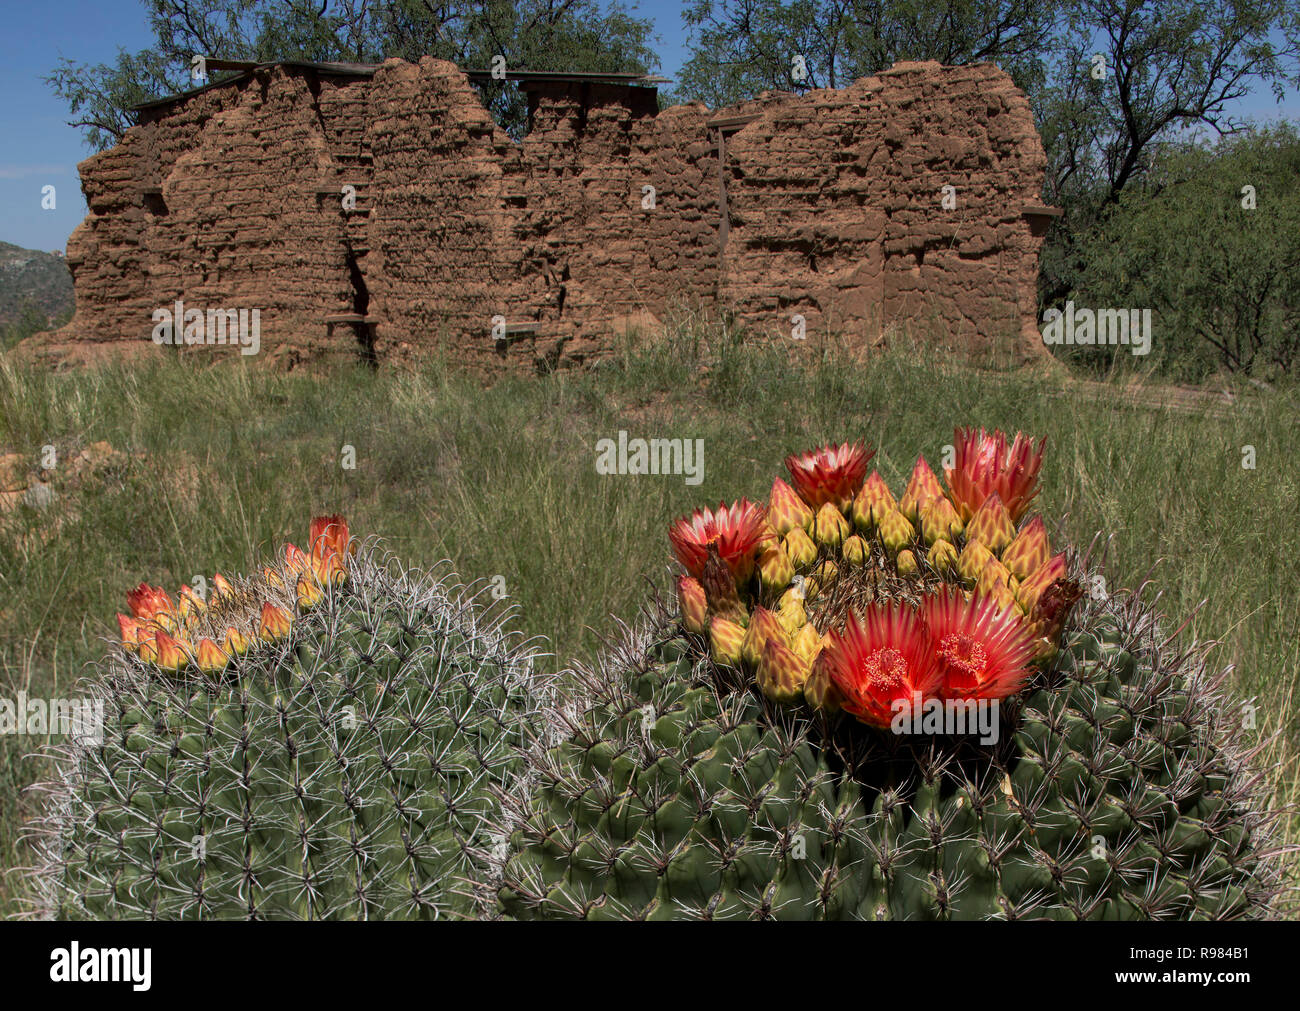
[(829, 206)]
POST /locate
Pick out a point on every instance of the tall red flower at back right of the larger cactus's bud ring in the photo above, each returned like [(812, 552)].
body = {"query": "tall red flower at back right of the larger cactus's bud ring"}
[(985, 465)]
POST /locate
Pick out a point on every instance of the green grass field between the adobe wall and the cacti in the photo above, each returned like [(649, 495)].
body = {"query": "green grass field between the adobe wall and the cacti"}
[(206, 468)]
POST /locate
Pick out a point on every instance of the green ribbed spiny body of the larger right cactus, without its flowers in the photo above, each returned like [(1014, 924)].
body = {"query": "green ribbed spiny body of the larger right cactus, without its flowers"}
[(1116, 792)]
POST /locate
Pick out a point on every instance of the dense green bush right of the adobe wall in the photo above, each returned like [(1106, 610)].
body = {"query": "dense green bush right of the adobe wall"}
[(1223, 280)]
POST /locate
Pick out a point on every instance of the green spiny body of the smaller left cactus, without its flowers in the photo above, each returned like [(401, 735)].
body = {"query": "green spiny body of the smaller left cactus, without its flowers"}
[(343, 773)]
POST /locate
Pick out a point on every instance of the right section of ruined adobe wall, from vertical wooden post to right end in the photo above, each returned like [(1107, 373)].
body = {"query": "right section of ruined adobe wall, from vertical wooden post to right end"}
[(838, 210)]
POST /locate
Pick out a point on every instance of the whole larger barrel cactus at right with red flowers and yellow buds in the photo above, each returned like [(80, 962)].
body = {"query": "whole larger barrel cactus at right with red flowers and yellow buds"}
[(792, 741)]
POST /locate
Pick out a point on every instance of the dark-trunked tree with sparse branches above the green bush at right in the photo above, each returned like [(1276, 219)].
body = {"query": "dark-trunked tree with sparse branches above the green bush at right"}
[(1136, 75)]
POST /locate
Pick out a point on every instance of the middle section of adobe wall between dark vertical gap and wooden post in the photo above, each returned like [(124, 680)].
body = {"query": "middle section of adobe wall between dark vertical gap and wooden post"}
[(467, 225)]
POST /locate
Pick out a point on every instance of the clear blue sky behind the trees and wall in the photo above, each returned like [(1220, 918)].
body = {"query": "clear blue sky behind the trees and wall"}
[(42, 150)]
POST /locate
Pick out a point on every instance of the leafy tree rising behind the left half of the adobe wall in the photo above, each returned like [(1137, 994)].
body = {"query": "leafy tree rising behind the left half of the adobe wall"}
[(565, 36)]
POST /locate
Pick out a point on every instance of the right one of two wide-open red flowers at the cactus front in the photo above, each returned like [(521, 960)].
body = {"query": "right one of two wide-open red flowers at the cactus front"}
[(985, 650)]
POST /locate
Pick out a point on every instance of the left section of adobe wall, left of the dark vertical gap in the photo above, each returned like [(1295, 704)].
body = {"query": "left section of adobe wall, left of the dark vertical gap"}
[(215, 203)]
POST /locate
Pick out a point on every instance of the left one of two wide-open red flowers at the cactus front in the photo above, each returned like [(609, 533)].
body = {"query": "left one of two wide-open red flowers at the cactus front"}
[(885, 658)]
